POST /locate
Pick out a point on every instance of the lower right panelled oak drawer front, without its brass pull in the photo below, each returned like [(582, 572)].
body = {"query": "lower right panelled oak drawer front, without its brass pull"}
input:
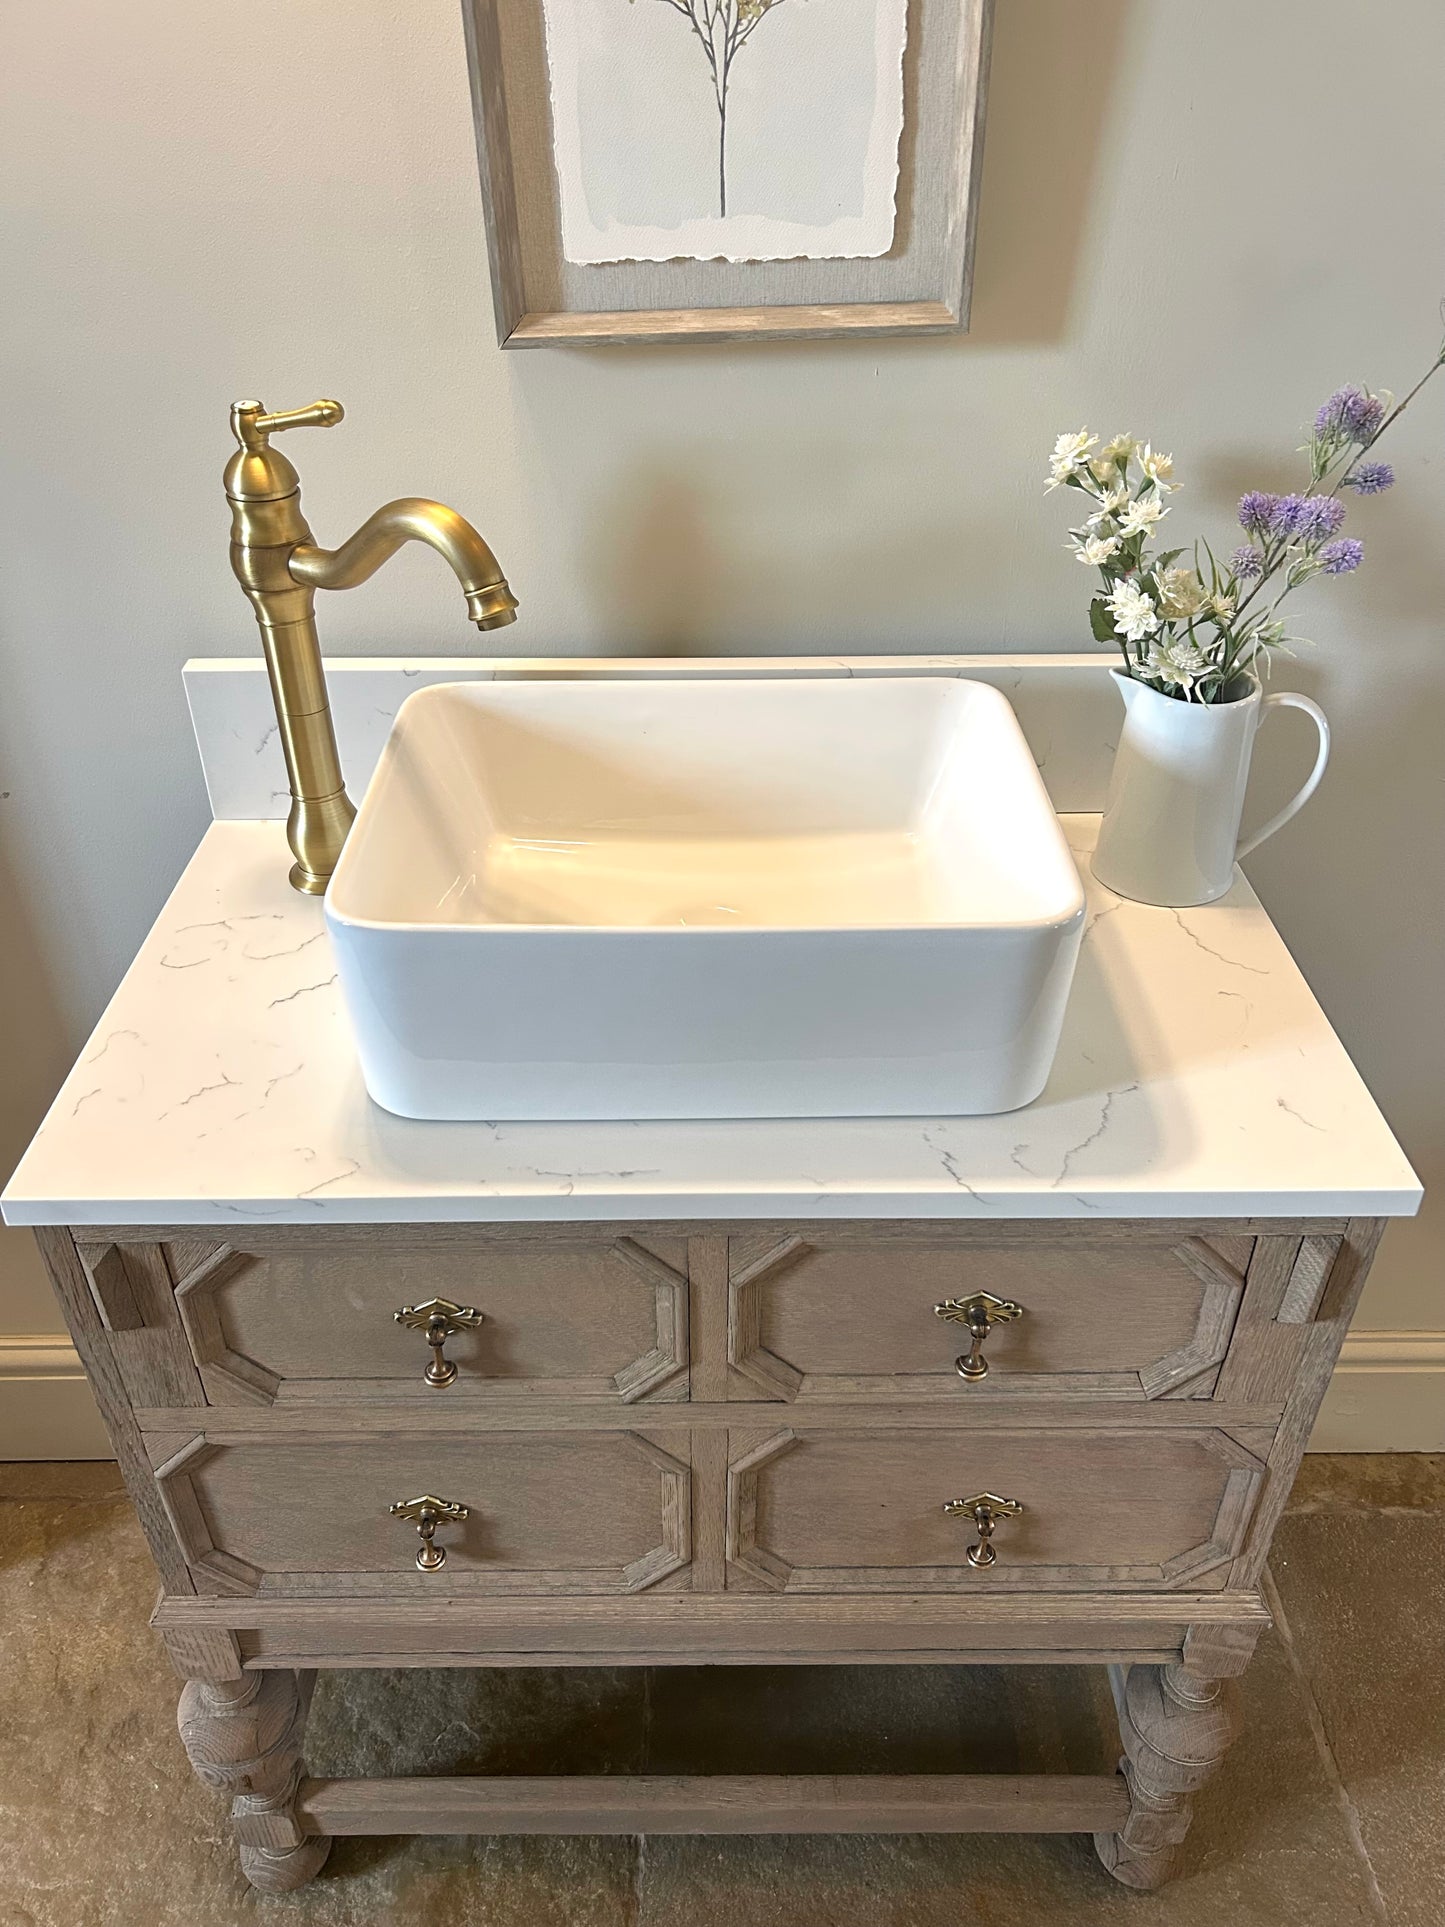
[(864, 1512)]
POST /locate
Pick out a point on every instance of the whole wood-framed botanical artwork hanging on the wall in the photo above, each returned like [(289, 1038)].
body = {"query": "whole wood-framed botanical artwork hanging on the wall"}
[(723, 171)]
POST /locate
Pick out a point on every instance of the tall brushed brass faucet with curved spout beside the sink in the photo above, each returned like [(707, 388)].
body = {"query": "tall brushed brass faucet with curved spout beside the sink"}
[(280, 569)]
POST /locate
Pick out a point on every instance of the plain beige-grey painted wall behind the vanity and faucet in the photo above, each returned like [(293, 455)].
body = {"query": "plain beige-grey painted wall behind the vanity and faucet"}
[(1195, 223)]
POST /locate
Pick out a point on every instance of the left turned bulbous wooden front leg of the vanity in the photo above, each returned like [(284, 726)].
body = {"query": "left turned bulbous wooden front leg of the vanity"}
[(244, 1737)]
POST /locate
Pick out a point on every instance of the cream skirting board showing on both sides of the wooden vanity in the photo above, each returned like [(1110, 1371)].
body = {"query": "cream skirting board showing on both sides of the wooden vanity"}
[(1388, 1394)]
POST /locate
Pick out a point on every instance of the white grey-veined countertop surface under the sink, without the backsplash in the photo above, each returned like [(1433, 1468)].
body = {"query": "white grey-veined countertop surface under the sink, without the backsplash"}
[(1197, 1076)]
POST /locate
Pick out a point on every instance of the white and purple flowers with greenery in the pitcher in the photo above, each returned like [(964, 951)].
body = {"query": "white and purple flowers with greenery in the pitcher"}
[(1205, 633)]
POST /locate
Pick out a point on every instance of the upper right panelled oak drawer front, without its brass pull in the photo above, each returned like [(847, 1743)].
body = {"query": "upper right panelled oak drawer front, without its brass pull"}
[(1090, 1317)]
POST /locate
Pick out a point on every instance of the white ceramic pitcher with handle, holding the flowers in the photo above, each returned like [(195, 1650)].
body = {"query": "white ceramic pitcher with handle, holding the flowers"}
[(1170, 832)]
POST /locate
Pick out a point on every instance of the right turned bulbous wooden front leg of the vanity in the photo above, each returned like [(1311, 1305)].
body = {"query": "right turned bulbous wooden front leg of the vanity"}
[(1176, 1729)]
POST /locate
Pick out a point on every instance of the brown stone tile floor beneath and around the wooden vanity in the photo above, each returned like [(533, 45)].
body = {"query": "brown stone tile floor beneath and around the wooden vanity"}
[(1328, 1810)]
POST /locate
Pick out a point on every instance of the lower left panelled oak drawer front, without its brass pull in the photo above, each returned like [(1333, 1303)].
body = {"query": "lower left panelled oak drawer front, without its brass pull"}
[(575, 1514)]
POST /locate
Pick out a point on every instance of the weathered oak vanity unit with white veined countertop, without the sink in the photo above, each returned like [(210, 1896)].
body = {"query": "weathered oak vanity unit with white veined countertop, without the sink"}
[(1026, 1388)]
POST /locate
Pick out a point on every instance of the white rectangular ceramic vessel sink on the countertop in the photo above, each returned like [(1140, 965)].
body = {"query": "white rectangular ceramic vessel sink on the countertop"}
[(737, 899)]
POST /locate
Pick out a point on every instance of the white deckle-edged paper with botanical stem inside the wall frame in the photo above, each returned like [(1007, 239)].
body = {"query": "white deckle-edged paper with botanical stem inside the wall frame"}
[(739, 130)]
